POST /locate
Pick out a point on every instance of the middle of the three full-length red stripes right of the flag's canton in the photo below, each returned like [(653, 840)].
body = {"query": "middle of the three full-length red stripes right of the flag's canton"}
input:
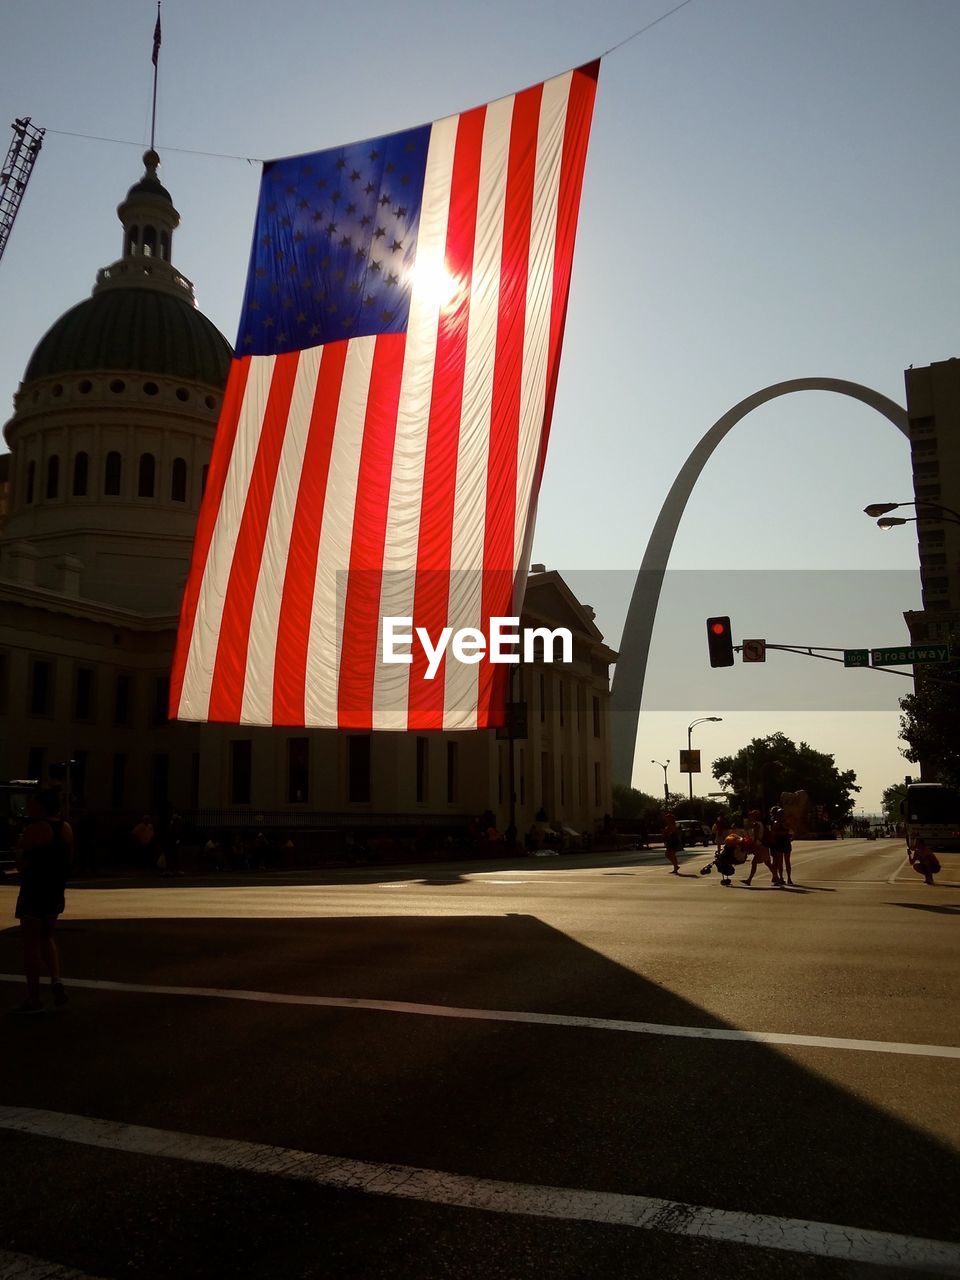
[(505, 417)]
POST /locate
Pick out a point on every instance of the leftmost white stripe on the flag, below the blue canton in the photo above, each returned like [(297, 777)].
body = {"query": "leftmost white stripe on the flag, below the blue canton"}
[(195, 700)]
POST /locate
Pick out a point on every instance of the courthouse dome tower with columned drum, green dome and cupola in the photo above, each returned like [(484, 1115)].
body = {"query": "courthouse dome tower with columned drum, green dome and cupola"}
[(113, 427)]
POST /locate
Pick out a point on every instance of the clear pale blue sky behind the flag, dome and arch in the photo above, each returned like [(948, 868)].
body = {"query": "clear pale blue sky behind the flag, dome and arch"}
[(772, 193)]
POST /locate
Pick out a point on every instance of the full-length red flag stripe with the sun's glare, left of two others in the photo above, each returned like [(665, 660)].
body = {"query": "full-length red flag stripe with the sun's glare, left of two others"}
[(433, 584)]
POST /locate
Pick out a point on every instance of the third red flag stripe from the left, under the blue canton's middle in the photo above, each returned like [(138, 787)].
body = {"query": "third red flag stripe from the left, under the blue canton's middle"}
[(299, 583)]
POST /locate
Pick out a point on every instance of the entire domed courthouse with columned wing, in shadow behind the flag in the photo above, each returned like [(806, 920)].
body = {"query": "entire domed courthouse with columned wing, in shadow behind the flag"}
[(109, 445)]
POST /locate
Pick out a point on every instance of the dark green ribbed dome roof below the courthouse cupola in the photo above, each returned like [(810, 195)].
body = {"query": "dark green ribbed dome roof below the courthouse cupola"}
[(136, 331)]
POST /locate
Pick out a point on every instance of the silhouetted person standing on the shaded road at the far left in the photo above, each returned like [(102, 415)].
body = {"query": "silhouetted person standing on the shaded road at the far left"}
[(44, 857)]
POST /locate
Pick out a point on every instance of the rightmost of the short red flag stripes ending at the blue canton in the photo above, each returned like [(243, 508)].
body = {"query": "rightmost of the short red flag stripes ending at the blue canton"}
[(360, 643)]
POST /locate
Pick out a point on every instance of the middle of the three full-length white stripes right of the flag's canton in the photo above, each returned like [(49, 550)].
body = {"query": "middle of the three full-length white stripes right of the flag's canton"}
[(470, 501)]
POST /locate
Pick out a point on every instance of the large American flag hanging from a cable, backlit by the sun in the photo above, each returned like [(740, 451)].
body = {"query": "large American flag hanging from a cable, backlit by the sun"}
[(385, 426)]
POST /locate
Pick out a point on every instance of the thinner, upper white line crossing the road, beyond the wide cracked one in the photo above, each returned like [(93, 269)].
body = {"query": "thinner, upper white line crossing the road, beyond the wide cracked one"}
[(509, 1016)]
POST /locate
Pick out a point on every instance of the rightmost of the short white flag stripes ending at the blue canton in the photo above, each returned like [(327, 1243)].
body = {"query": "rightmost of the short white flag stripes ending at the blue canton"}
[(337, 537)]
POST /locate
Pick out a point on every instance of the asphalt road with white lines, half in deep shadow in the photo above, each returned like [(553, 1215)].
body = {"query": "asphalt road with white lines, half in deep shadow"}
[(568, 1067)]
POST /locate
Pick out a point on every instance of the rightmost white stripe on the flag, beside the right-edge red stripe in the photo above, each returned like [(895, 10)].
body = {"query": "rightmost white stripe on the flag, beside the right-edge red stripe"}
[(540, 296)]
